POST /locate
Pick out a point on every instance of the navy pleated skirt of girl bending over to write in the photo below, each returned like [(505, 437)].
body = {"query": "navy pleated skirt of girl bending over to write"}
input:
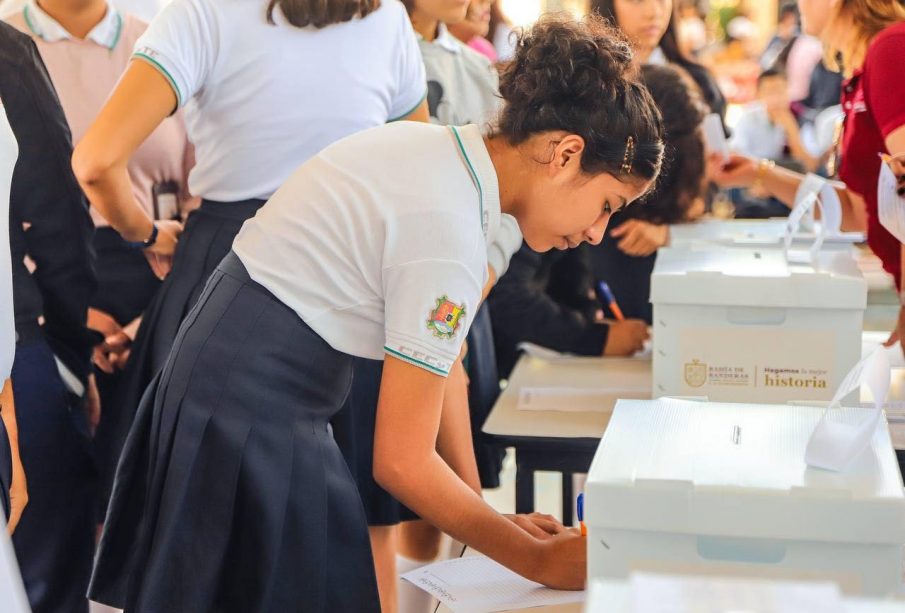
[(231, 494)]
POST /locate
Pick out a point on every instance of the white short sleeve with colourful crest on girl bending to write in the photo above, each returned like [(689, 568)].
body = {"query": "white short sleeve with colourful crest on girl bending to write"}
[(433, 267)]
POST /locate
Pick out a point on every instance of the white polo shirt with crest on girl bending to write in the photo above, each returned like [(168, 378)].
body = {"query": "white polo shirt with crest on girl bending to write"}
[(383, 253)]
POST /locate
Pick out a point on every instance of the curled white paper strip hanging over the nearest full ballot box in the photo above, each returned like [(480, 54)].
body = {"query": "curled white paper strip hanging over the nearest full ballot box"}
[(833, 445)]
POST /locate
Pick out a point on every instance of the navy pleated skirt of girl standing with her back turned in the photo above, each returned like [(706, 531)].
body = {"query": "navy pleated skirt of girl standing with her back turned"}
[(208, 237)]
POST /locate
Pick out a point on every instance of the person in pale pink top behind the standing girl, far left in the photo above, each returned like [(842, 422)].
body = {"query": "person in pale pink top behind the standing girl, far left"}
[(86, 47)]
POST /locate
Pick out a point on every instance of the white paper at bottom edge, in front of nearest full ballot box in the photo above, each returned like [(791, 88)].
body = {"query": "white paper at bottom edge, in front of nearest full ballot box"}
[(673, 594)]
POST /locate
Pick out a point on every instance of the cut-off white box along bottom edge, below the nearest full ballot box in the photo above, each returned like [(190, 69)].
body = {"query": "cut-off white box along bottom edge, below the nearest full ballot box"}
[(672, 594)]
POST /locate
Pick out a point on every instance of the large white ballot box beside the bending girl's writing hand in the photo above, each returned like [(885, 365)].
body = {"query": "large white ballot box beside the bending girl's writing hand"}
[(713, 488)]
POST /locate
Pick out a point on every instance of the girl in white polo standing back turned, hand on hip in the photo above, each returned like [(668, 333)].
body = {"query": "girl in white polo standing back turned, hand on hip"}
[(264, 88)]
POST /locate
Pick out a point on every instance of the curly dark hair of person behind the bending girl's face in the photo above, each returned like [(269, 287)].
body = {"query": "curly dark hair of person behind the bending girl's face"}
[(682, 180)]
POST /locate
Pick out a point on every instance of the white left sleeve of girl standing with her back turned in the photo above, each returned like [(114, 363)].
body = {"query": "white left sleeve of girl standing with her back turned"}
[(181, 43)]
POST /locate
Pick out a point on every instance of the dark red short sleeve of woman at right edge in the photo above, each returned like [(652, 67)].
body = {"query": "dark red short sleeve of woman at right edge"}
[(885, 87)]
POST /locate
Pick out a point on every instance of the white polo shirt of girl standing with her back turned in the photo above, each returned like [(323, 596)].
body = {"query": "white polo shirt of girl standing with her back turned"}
[(261, 99)]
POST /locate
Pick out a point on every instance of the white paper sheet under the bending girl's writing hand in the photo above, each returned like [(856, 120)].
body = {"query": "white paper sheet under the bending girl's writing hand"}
[(477, 584)]
